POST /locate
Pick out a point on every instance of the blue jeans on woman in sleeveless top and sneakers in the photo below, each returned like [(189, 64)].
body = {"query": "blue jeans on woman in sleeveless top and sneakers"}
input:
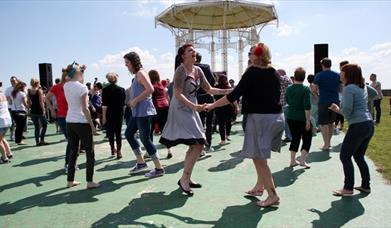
[(144, 126)]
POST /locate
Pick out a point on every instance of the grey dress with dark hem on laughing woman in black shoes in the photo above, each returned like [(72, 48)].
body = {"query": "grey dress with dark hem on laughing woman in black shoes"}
[(184, 125)]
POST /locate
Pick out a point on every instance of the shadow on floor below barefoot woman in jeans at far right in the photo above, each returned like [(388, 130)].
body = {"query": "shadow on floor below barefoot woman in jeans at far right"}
[(341, 212)]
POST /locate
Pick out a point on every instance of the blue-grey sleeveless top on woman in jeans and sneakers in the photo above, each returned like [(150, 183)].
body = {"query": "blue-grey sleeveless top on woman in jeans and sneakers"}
[(144, 107)]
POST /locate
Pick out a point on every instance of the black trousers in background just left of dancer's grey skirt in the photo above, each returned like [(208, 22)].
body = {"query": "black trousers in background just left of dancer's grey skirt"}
[(224, 118)]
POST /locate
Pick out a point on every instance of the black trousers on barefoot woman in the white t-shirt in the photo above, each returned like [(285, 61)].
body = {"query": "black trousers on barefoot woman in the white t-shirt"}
[(80, 132)]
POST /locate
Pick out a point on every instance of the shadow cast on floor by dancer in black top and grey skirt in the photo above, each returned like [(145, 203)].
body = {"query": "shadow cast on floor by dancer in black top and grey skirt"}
[(247, 215)]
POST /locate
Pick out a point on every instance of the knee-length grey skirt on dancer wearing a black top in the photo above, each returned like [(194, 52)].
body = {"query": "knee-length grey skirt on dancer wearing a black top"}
[(263, 135)]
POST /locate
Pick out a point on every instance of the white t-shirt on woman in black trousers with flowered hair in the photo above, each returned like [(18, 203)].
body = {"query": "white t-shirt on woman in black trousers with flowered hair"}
[(73, 91)]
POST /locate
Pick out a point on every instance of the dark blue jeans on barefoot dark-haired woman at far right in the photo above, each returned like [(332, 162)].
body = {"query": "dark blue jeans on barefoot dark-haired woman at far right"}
[(355, 144)]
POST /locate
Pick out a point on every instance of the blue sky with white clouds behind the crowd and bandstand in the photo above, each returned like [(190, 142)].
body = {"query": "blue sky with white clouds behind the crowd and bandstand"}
[(98, 33)]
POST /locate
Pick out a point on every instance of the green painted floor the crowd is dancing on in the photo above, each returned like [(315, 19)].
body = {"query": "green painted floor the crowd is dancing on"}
[(33, 193)]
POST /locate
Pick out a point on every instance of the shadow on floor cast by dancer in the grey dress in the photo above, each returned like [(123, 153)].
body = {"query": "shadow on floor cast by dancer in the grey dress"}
[(150, 203)]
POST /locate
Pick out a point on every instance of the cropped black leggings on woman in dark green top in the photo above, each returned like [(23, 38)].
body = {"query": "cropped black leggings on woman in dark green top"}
[(298, 132)]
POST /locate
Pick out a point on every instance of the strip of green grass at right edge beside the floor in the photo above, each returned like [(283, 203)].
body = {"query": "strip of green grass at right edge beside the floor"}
[(380, 146)]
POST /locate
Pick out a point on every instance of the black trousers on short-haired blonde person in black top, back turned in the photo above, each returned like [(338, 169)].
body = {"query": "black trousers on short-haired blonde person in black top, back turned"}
[(114, 130)]
